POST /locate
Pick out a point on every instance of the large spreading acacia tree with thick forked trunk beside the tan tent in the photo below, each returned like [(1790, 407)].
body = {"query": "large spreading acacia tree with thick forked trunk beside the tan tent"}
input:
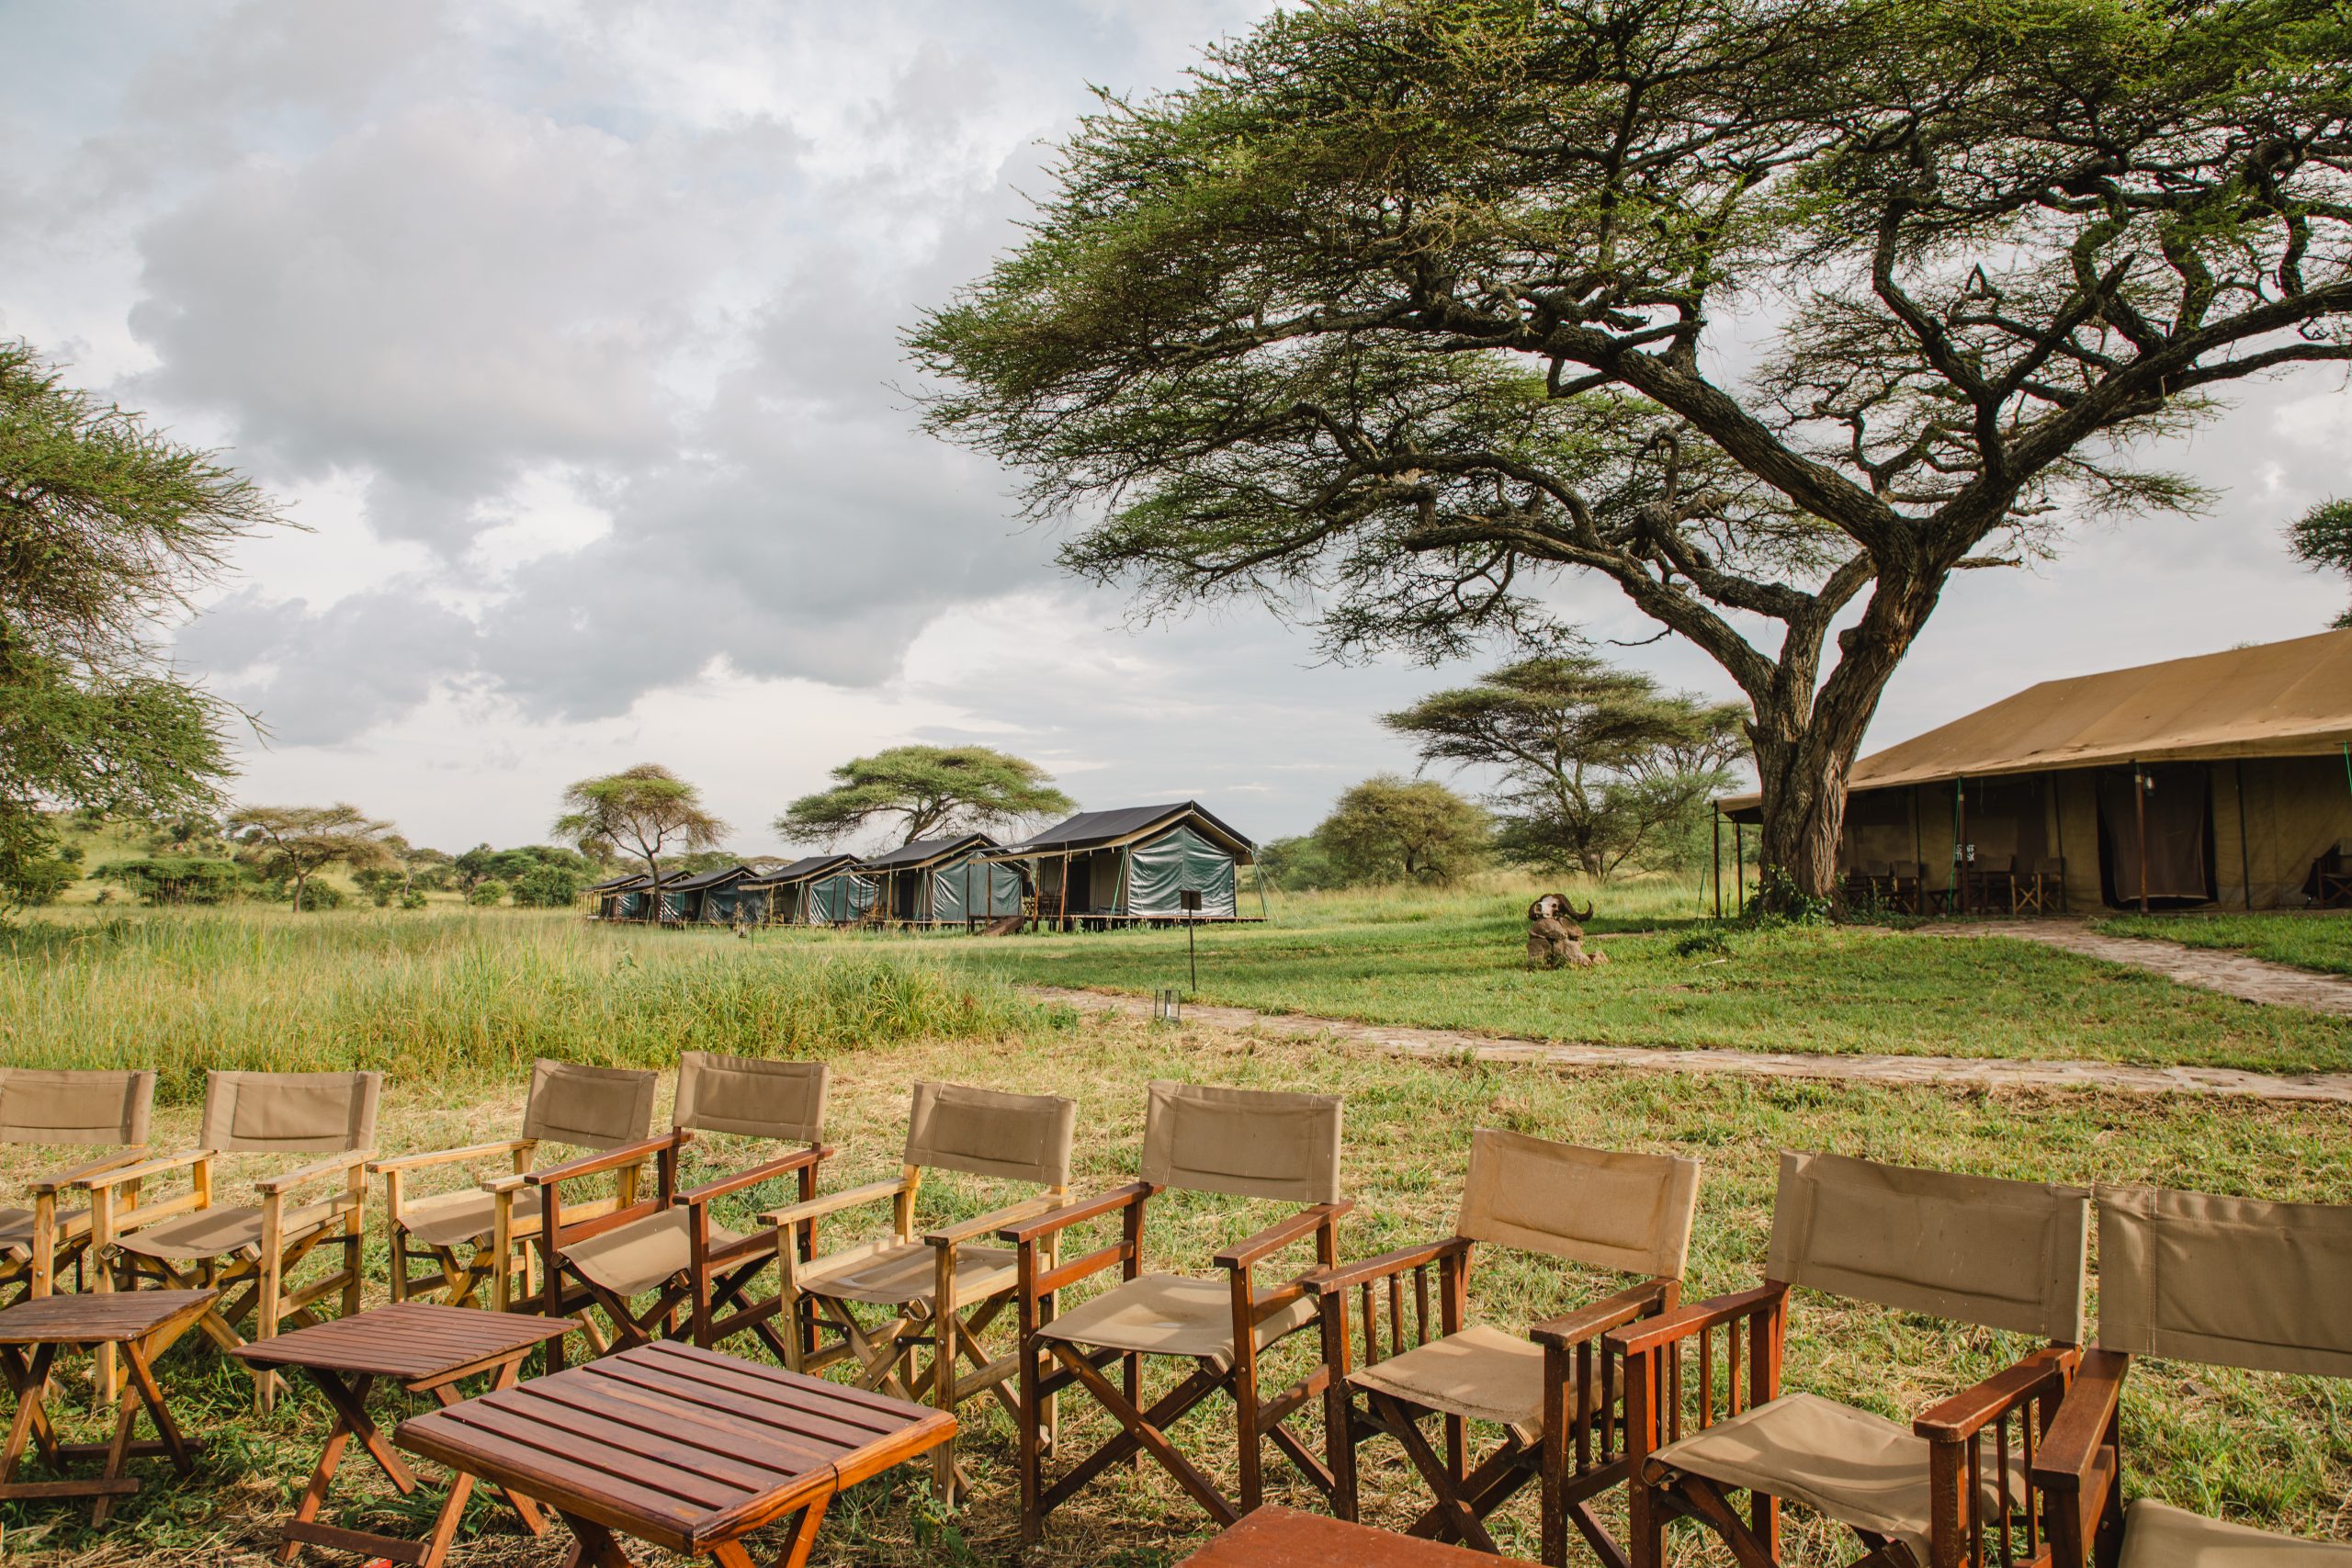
[(1775, 314)]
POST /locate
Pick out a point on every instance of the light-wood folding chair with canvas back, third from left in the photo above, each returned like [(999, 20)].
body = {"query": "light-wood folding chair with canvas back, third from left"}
[(479, 1235)]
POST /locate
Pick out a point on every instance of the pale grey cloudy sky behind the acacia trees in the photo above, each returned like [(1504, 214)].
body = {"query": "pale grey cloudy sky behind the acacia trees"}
[(568, 328)]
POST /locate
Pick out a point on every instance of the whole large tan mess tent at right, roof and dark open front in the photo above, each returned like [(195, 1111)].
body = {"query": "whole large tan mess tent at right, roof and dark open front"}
[(2221, 779)]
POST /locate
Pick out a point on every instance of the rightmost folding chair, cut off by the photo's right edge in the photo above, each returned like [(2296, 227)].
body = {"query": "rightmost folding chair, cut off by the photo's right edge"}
[(2193, 1278)]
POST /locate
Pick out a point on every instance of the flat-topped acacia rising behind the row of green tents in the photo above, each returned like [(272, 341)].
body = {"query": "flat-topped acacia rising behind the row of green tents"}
[(926, 791)]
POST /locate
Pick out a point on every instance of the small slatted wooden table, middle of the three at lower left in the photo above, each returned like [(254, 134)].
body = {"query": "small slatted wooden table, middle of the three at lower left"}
[(429, 1351)]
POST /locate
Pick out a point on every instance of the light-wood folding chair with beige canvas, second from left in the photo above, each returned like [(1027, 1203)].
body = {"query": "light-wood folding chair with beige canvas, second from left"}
[(194, 1242)]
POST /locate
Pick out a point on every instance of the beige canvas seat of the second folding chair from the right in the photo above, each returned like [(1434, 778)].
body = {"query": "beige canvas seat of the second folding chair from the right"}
[(1847, 1466)]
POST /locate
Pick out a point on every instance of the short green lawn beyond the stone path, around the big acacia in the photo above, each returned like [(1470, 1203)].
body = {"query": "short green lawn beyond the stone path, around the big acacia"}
[(1457, 963)]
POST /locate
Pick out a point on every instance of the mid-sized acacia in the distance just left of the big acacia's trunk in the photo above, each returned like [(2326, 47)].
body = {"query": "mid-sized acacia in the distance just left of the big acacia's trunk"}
[(1598, 765)]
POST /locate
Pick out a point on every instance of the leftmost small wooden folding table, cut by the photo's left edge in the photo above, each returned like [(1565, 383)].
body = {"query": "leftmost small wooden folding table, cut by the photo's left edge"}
[(142, 1325)]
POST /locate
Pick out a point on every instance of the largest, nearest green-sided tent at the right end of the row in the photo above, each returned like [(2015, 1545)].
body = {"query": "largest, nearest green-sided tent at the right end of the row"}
[(1137, 864)]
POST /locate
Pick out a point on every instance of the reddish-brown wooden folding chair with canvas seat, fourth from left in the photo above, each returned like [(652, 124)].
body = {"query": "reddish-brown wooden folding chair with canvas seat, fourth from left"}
[(667, 1247)]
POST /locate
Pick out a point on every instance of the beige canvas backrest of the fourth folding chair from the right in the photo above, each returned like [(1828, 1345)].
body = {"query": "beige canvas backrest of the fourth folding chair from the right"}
[(1243, 1141)]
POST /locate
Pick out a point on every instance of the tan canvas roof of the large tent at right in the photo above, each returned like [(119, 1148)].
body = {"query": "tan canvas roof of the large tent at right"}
[(2276, 699)]
